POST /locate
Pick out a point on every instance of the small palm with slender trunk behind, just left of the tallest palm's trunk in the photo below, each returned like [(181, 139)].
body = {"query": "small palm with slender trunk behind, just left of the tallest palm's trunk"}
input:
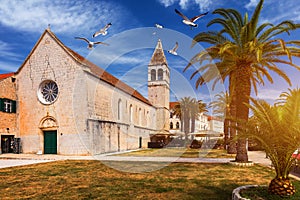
[(222, 110)]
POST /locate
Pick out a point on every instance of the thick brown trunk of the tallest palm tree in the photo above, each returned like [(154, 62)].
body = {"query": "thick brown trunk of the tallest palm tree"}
[(243, 88)]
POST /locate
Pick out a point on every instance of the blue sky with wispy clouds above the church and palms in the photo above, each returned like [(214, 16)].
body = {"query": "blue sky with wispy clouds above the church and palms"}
[(132, 36)]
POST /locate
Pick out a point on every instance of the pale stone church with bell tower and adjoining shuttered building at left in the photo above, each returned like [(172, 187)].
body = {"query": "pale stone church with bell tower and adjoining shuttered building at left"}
[(60, 103)]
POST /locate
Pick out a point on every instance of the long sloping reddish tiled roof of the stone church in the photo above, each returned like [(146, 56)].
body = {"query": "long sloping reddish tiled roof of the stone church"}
[(94, 69)]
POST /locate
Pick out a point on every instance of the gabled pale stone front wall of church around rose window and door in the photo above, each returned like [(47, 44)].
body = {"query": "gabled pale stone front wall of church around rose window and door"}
[(49, 61)]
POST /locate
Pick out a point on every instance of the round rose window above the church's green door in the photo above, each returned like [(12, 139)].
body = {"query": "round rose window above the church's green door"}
[(47, 92)]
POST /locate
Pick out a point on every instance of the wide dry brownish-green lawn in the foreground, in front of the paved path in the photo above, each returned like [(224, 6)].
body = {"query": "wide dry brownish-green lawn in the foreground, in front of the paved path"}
[(94, 180)]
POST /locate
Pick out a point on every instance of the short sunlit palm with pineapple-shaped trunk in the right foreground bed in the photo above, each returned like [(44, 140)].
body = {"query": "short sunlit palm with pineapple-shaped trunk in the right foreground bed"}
[(278, 129)]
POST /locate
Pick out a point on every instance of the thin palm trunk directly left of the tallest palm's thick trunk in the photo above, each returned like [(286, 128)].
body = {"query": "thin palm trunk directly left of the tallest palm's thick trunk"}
[(232, 122)]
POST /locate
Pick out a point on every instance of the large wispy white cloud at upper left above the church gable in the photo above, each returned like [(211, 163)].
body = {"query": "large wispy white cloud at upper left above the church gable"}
[(64, 16)]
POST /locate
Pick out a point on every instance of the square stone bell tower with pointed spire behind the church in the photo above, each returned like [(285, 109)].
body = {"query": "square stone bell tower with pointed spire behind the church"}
[(159, 87)]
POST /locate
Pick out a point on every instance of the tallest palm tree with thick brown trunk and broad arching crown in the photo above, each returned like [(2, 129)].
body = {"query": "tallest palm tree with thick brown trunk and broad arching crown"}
[(244, 52)]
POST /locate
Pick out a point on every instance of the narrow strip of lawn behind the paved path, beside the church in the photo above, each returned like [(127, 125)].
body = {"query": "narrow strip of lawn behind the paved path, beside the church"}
[(181, 152)]
